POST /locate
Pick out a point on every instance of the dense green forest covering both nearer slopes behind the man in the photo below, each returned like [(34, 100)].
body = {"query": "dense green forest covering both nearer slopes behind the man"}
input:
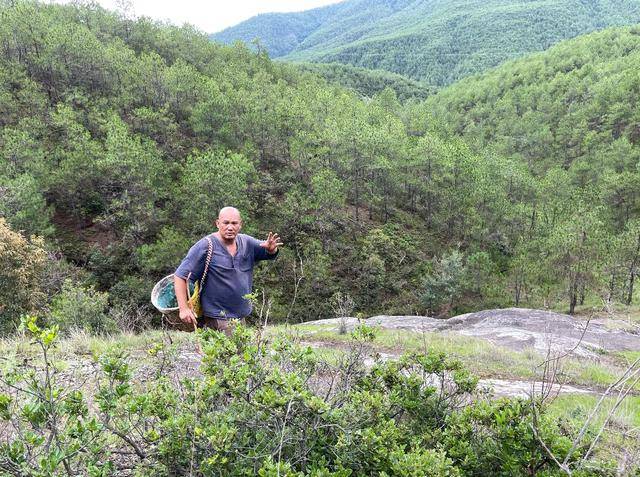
[(121, 139)]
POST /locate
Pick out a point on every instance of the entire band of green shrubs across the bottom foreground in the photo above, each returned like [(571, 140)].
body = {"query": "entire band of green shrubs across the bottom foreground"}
[(273, 408)]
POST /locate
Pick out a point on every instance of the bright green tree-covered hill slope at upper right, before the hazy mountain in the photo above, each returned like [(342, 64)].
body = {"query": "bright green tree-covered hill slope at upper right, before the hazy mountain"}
[(574, 105)]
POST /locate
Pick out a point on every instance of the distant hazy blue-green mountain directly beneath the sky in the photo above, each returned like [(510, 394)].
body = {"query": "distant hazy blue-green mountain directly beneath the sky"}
[(437, 41)]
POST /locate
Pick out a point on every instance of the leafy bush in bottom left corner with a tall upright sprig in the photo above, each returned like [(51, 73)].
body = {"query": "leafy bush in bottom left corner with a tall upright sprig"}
[(51, 429)]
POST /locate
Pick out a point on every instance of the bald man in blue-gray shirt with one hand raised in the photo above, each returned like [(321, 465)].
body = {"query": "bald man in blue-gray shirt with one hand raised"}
[(230, 274)]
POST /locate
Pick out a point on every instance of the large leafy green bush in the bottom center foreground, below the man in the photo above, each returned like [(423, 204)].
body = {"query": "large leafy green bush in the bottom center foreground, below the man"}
[(270, 408)]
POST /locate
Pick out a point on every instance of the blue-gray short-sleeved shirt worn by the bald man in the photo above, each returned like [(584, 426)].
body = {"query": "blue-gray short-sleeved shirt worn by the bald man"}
[(229, 278)]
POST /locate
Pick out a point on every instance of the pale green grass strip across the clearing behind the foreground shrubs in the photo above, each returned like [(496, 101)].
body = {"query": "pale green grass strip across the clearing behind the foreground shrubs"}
[(484, 359)]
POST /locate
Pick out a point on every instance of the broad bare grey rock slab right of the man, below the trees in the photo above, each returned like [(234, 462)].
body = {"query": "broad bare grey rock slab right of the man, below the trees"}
[(515, 328)]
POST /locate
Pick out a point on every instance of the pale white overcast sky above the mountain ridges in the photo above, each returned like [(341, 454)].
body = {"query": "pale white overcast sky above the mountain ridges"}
[(212, 16)]
